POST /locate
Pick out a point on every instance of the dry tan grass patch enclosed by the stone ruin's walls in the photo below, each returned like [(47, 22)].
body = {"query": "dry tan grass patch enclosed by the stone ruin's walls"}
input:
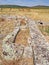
[(22, 37)]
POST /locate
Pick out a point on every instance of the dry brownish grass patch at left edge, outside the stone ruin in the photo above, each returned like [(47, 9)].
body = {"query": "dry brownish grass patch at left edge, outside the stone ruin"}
[(6, 27)]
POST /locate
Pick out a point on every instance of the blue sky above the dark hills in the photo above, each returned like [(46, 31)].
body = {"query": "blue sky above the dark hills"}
[(25, 2)]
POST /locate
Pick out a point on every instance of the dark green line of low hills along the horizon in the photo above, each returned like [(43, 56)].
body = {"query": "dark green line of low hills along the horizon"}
[(18, 6)]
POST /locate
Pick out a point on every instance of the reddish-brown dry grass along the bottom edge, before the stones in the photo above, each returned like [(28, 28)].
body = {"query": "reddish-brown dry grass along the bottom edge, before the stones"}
[(25, 61)]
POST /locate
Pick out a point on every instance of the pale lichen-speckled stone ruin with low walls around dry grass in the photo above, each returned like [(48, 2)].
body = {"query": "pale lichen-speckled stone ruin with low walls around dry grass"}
[(35, 53)]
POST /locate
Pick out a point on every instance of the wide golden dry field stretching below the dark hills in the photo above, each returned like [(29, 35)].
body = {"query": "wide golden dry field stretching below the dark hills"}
[(36, 14)]
